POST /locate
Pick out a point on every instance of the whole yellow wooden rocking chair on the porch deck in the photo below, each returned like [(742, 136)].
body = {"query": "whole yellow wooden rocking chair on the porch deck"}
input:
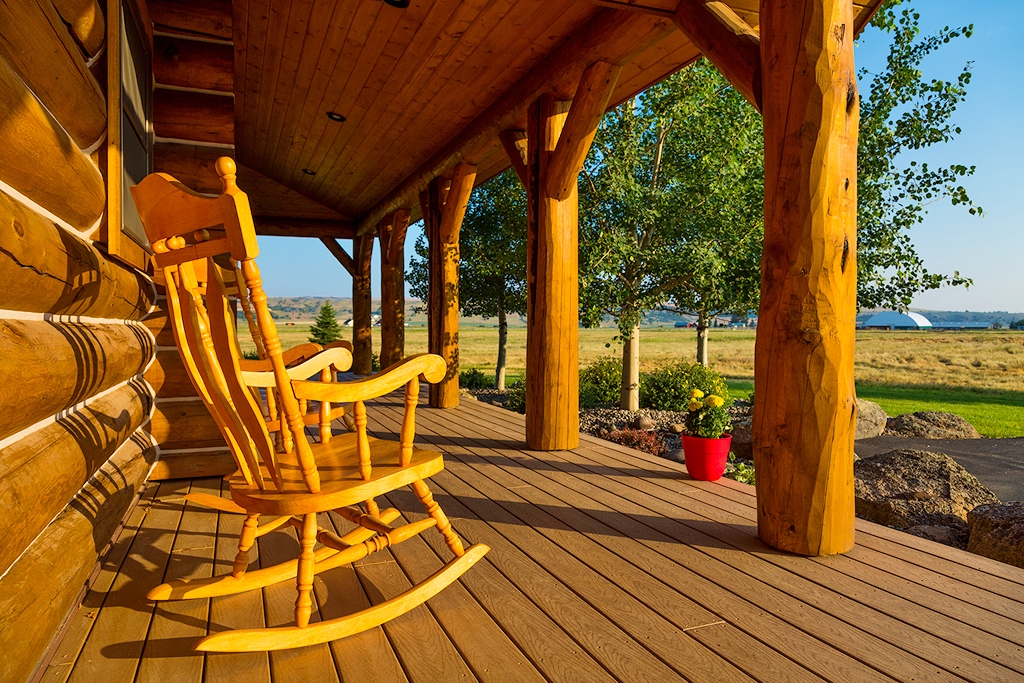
[(335, 475)]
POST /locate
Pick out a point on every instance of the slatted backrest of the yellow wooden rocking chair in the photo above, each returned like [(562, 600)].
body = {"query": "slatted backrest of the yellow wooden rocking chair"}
[(185, 228)]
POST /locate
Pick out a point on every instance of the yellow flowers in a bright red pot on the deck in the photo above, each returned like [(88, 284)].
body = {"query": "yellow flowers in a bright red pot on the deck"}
[(706, 446)]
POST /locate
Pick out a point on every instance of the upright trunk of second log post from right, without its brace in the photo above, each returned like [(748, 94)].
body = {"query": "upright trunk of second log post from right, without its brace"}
[(552, 319)]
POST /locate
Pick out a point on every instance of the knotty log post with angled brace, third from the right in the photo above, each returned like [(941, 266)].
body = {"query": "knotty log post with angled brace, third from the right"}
[(443, 217)]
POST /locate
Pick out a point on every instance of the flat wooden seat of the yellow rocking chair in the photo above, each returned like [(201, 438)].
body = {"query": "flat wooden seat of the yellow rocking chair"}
[(342, 484)]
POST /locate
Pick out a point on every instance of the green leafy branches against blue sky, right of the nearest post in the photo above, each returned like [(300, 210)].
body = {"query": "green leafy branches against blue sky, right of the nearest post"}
[(905, 112)]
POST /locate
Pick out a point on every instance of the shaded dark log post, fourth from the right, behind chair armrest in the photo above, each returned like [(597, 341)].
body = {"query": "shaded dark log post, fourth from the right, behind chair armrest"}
[(392, 233)]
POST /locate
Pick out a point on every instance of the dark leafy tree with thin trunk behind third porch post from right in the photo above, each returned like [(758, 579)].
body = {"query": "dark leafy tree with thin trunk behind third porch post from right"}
[(493, 260)]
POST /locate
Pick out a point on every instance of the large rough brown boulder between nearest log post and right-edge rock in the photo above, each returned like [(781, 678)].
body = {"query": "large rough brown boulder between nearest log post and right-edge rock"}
[(909, 489)]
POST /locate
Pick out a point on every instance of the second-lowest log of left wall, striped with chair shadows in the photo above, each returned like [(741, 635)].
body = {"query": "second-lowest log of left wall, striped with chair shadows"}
[(64, 456)]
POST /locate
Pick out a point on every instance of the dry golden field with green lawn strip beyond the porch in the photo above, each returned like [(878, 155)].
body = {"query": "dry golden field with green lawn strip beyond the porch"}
[(976, 375)]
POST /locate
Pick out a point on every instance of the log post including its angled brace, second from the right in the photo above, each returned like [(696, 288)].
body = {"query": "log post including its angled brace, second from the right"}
[(559, 140)]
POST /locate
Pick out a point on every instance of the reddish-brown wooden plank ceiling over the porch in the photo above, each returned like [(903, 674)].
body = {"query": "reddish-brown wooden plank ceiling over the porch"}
[(424, 88)]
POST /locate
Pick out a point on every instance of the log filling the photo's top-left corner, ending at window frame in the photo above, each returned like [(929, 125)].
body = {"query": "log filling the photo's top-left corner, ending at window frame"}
[(35, 41)]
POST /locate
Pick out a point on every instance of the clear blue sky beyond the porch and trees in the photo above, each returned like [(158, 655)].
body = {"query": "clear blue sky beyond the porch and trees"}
[(990, 249)]
